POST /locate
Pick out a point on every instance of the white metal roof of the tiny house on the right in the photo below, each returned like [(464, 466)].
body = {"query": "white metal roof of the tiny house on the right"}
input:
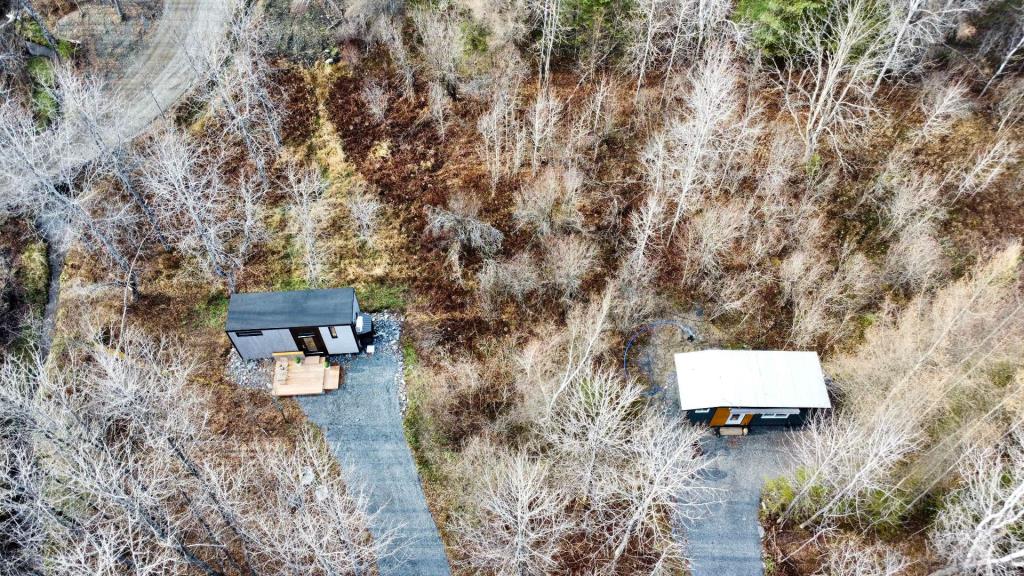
[(751, 379)]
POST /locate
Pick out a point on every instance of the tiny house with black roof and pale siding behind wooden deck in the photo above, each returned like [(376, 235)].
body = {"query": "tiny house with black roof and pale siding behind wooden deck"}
[(315, 322)]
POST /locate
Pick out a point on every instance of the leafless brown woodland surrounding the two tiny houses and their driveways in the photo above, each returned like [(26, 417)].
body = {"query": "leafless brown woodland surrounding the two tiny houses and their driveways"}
[(526, 182)]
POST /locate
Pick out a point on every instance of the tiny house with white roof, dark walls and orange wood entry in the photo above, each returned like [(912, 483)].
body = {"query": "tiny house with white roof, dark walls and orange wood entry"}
[(721, 388)]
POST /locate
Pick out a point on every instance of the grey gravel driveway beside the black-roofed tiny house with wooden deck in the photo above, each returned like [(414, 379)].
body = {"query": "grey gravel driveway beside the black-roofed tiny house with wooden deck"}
[(363, 424)]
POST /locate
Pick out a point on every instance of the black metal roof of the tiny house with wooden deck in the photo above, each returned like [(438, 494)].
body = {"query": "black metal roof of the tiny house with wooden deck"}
[(266, 311)]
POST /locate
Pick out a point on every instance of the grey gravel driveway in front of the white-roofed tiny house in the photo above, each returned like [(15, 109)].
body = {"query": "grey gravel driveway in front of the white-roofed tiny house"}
[(727, 542)]
